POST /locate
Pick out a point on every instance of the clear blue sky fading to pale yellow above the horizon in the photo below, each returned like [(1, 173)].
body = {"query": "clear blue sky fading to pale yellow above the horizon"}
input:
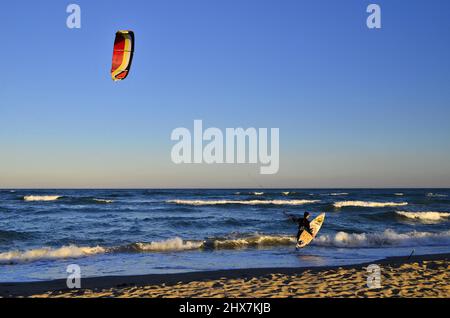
[(355, 107)]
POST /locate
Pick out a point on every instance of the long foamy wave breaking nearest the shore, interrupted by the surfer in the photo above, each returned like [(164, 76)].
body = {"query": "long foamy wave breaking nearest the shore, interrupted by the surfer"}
[(341, 239)]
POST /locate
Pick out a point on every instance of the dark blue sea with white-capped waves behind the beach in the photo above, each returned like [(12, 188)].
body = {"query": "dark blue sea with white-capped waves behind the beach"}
[(149, 231)]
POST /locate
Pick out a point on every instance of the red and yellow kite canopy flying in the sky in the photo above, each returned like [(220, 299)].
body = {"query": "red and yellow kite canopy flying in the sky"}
[(122, 55)]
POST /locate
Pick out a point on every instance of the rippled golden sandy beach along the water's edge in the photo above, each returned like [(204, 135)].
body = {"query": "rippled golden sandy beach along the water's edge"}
[(418, 276)]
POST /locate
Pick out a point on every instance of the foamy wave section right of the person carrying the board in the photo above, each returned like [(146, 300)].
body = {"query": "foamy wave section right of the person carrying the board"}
[(387, 238)]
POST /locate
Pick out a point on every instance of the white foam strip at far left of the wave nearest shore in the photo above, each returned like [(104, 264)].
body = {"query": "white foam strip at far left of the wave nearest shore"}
[(47, 253)]
